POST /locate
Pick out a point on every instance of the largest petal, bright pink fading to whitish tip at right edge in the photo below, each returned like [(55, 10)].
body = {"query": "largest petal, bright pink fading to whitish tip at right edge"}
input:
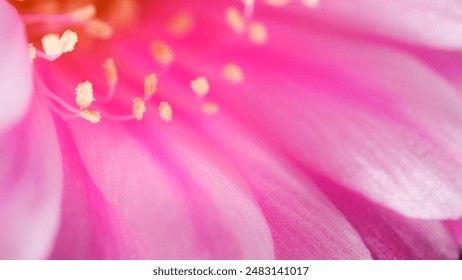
[(371, 118)]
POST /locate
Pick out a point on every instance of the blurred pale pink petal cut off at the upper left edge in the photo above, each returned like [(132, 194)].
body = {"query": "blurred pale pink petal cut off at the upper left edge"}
[(16, 71)]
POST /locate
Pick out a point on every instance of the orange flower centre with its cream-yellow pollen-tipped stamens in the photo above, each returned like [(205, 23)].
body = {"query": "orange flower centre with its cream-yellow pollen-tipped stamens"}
[(54, 28)]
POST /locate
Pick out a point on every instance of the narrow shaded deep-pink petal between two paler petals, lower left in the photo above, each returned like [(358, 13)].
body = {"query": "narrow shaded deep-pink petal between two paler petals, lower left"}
[(90, 227)]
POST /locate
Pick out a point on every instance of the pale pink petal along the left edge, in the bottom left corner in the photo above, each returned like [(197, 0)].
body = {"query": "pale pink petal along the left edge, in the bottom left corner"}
[(30, 187)]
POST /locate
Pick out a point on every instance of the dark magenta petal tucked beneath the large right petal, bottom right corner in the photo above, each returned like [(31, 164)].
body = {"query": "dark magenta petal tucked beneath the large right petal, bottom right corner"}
[(389, 235)]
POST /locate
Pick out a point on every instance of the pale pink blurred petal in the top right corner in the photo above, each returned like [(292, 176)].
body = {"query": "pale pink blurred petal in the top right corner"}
[(427, 22)]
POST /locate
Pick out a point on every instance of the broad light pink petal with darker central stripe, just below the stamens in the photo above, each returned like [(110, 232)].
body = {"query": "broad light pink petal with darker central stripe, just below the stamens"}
[(172, 194)]
